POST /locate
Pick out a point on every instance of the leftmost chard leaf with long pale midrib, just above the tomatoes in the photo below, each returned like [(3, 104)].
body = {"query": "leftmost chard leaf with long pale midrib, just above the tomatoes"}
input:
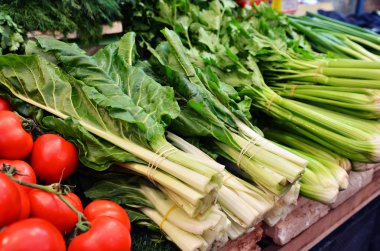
[(42, 84)]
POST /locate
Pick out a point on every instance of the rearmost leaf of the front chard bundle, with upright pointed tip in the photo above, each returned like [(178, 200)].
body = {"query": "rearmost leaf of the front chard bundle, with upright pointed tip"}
[(156, 100)]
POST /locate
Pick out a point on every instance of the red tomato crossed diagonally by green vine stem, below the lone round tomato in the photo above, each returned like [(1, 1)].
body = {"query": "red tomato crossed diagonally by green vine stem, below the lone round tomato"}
[(50, 207)]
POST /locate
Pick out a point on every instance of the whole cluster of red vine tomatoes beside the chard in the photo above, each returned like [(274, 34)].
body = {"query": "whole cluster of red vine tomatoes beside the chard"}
[(35, 217)]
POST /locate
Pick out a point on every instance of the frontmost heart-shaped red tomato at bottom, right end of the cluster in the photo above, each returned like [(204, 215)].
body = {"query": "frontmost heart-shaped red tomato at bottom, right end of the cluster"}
[(106, 233)]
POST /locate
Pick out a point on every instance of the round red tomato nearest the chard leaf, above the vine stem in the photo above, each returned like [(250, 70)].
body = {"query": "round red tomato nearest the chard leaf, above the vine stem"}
[(53, 158)]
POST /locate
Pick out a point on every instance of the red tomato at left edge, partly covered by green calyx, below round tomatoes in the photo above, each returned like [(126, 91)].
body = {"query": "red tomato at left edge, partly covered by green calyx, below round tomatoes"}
[(24, 171)]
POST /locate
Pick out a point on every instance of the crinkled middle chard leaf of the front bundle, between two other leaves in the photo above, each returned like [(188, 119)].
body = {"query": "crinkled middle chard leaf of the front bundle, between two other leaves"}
[(101, 88)]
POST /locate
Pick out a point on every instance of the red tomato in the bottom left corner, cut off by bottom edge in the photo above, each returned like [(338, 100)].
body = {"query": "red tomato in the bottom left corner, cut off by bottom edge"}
[(32, 235)]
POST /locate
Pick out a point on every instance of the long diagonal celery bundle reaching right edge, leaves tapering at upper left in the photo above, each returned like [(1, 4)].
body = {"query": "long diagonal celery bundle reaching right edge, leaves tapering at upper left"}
[(343, 134)]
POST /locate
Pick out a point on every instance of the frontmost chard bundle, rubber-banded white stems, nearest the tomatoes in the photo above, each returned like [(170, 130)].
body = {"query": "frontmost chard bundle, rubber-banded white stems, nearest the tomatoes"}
[(85, 95)]
